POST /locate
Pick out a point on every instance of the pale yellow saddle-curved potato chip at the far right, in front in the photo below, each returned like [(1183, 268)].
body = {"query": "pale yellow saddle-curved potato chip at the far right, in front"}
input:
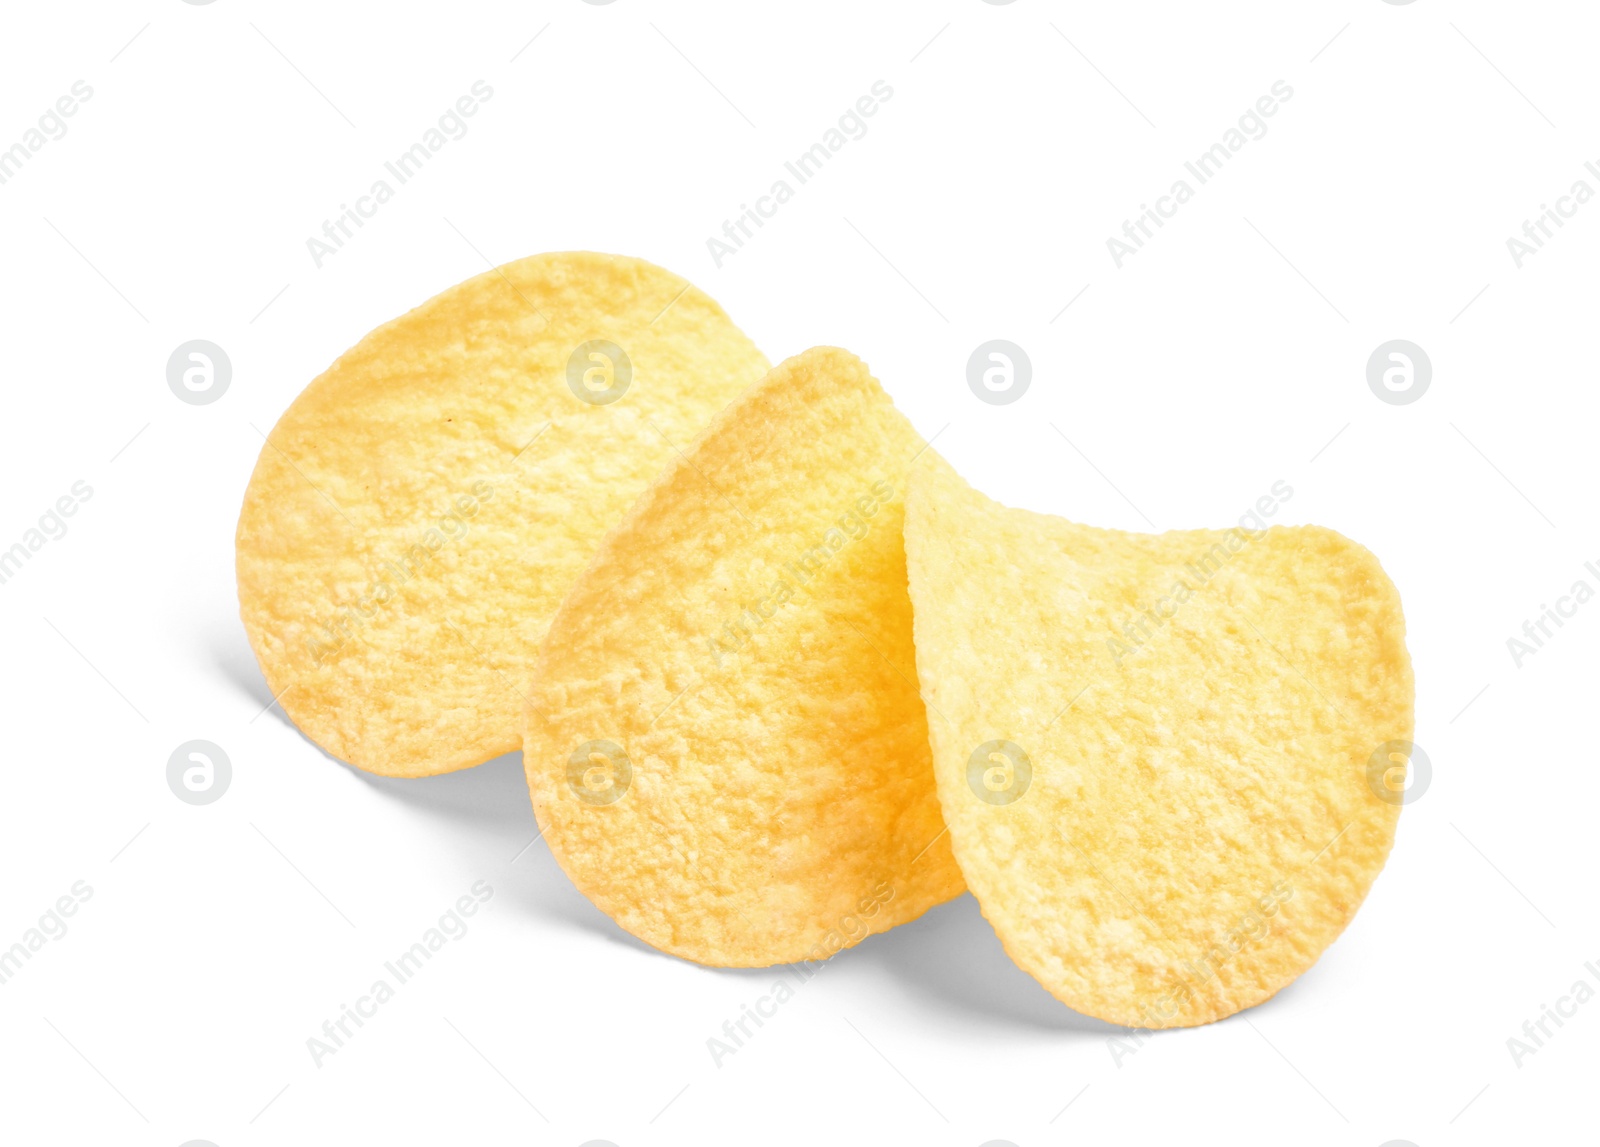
[(1154, 751)]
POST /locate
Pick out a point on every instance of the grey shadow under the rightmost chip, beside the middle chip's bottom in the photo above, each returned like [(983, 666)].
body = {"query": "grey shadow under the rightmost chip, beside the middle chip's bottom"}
[(954, 957)]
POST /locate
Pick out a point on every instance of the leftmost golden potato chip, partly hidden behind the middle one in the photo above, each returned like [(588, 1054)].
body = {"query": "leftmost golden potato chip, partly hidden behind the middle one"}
[(423, 506)]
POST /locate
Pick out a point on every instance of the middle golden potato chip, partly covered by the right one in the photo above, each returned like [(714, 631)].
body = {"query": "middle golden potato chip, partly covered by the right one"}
[(726, 743)]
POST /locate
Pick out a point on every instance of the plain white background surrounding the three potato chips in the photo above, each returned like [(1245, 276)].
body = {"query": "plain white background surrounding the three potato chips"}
[(1172, 393)]
